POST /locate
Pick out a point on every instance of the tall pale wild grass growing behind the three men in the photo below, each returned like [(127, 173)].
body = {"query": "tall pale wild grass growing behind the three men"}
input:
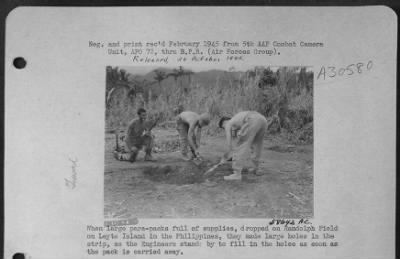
[(293, 110)]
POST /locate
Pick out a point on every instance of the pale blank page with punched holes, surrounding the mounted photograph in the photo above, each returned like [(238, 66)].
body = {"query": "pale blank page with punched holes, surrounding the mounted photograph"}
[(55, 112)]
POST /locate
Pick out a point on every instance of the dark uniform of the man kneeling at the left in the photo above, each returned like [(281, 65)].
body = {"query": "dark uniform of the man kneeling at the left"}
[(137, 137)]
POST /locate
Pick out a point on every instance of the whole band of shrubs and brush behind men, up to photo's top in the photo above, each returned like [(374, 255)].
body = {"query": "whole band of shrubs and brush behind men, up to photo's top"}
[(284, 97)]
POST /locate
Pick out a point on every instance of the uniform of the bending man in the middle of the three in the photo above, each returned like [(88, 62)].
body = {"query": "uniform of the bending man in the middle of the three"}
[(188, 127)]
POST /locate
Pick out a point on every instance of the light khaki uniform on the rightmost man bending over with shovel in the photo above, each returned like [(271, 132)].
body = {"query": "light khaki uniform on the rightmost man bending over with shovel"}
[(245, 134)]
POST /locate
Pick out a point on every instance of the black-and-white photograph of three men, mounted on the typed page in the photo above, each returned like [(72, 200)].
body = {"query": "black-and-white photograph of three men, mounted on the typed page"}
[(201, 142)]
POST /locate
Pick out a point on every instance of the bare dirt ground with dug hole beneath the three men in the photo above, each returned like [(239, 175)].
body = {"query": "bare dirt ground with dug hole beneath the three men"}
[(174, 188)]
